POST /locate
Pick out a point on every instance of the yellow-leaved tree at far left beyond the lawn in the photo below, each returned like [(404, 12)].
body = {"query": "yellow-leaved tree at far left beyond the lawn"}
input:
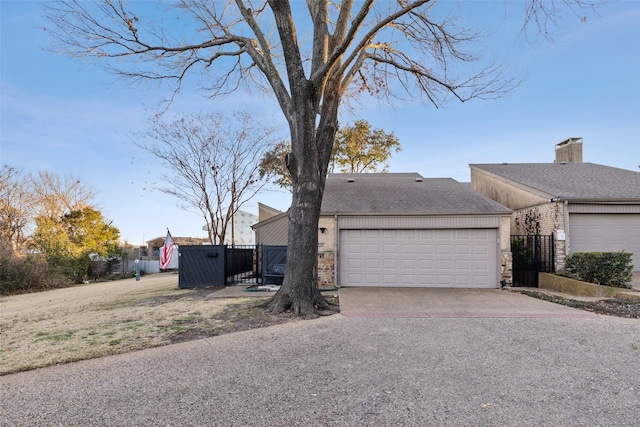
[(71, 240)]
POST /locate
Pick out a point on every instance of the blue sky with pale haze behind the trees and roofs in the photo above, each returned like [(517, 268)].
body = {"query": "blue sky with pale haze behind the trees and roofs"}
[(70, 117)]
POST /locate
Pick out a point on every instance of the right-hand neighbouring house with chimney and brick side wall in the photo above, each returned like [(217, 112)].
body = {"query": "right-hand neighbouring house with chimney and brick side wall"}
[(586, 206)]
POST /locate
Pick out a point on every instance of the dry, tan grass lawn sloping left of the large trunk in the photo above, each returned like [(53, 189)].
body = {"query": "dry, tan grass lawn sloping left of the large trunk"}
[(110, 318)]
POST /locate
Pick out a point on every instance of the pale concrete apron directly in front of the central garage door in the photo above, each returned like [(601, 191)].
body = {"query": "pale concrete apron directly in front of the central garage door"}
[(448, 303)]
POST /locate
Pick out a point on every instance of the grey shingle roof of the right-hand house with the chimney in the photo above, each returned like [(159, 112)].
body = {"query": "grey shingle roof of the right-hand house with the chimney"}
[(570, 181)]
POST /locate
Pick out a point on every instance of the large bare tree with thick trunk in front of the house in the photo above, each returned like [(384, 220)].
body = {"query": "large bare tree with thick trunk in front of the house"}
[(389, 49)]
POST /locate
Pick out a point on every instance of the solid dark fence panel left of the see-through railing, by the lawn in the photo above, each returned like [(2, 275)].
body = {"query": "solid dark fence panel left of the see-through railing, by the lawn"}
[(201, 266)]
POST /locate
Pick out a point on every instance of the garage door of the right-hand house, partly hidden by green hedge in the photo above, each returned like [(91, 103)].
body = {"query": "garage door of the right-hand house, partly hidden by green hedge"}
[(606, 233)]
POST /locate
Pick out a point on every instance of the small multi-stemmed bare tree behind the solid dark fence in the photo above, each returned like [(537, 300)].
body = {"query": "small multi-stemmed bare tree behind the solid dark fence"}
[(213, 163)]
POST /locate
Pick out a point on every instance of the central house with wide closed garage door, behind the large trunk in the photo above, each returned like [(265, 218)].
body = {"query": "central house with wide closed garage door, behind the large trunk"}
[(393, 229)]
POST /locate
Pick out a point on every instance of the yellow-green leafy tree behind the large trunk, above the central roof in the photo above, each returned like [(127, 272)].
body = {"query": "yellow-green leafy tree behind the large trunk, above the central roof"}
[(356, 149)]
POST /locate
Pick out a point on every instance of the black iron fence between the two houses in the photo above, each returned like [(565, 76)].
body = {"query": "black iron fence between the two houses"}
[(531, 255)]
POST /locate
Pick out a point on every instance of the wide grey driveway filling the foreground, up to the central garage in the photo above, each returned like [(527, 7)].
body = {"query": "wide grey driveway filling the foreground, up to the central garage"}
[(454, 358)]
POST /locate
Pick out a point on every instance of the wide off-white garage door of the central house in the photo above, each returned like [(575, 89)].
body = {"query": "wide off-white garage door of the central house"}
[(465, 258)]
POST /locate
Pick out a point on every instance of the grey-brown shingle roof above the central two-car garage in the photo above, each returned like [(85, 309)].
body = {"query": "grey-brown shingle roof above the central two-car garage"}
[(403, 194)]
